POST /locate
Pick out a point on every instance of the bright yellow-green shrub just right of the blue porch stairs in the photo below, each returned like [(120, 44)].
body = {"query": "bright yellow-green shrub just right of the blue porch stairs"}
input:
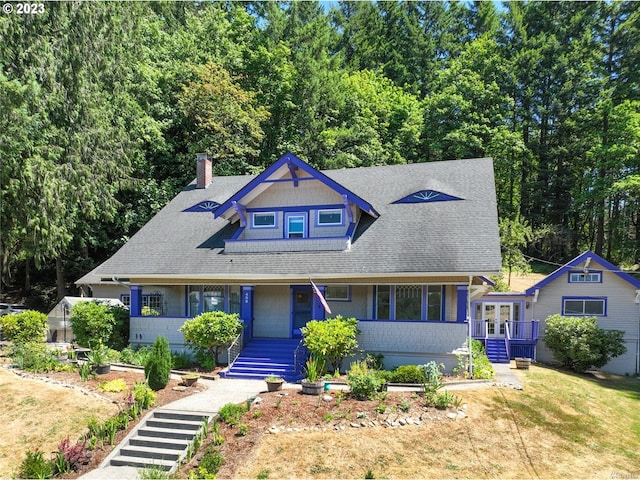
[(334, 338)]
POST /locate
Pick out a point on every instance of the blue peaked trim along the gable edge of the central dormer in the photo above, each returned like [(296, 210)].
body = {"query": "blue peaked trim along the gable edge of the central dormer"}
[(291, 159)]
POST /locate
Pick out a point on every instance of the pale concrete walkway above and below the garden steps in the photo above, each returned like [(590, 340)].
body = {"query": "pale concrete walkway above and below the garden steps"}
[(218, 393)]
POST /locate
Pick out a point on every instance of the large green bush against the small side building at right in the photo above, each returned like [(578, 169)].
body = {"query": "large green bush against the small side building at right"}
[(580, 344)]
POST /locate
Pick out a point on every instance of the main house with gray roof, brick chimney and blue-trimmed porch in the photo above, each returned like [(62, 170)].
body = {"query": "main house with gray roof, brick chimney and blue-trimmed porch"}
[(402, 248)]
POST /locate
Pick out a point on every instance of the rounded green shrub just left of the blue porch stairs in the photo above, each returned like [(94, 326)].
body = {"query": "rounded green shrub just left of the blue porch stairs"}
[(212, 331)]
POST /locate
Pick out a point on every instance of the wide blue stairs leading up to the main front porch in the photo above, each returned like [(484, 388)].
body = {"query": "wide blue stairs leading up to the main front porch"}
[(266, 356)]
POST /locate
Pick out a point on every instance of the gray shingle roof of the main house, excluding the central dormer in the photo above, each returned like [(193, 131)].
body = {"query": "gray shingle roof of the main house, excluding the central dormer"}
[(423, 238)]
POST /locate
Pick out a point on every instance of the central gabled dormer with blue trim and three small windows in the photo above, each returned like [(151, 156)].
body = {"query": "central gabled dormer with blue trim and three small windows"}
[(292, 207)]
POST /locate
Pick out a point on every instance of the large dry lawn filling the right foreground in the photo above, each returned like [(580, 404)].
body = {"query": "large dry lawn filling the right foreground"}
[(560, 426)]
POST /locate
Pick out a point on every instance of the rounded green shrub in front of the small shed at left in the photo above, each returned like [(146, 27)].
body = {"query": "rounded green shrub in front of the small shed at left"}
[(92, 322)]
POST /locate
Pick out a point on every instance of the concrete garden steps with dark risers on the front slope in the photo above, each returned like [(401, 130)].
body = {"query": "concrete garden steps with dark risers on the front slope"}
[(161, 440)]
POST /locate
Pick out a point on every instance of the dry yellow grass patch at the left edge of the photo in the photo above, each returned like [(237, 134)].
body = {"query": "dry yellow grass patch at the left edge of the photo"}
[(35, 414)]
